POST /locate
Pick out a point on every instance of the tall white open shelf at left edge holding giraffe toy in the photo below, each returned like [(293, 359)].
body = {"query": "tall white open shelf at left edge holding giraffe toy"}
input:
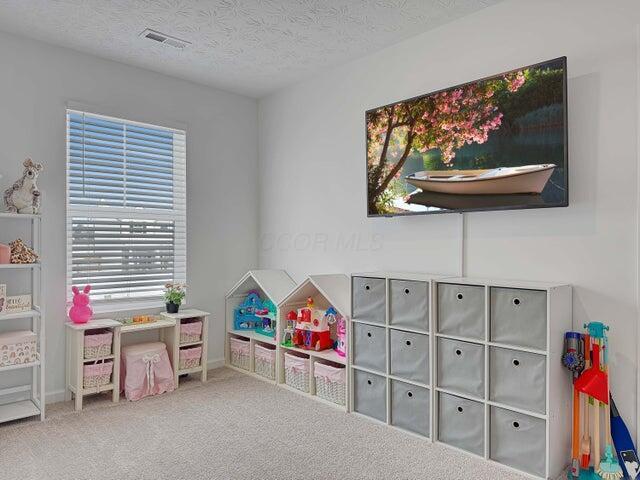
[(28, 399)]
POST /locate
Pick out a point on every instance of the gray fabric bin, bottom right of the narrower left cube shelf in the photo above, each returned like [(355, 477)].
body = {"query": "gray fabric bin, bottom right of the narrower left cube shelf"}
[(410, 407)]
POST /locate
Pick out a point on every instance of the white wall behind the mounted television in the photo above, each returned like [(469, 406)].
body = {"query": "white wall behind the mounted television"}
[(312, 166)]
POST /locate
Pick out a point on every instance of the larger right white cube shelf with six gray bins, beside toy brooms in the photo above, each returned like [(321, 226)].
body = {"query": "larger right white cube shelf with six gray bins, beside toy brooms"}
[(525, 395)]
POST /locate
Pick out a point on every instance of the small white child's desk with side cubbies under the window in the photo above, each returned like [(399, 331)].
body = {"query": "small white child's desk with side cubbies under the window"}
[(169, 326)]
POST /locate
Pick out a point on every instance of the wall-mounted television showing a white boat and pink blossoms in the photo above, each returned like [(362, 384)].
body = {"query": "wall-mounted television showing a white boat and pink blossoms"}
[(493, 144)]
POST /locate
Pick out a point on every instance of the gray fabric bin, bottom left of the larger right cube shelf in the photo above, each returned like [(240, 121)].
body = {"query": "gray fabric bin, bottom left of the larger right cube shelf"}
[(461, 423)]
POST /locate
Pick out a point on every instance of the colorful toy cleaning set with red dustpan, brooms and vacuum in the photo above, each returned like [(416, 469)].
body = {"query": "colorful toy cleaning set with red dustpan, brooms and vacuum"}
[(582, 357)]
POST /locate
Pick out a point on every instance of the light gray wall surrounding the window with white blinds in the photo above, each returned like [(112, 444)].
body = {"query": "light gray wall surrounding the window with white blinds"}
[(38, 80)]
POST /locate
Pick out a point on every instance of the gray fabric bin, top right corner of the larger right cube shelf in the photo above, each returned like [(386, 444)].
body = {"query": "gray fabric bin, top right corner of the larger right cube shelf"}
[(519, 317)]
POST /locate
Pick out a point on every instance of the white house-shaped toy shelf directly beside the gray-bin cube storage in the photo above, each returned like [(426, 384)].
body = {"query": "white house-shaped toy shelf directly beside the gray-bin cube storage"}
[(326, 291)]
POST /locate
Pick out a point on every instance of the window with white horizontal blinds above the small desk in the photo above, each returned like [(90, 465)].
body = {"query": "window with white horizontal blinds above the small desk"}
[(126, 207)]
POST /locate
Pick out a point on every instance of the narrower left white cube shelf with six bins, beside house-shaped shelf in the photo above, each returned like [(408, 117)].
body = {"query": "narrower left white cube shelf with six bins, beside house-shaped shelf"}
[(390, 351)]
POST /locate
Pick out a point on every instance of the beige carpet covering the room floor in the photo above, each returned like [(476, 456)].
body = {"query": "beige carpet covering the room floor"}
[(233, 427)]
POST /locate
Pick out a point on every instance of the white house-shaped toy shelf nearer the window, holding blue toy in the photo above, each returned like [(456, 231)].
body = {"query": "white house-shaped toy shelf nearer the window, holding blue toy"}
[(270, 284)]
